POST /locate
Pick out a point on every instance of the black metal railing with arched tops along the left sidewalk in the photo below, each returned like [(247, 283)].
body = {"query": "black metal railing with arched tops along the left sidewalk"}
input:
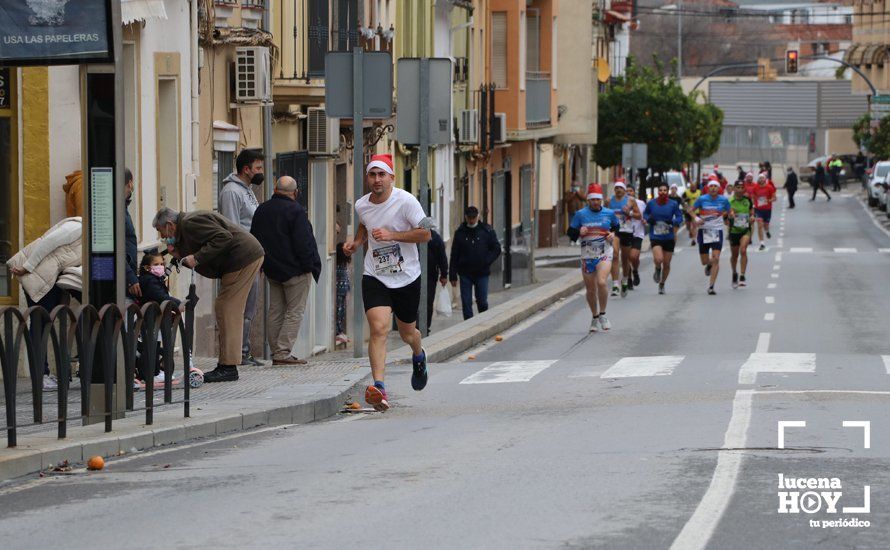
[(96, 336)]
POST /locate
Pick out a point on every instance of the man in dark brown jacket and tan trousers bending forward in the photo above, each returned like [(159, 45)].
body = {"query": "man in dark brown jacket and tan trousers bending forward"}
[(216, 248)]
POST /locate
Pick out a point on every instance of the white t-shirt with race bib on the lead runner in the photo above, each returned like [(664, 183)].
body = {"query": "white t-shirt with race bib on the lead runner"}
[(392, 263)]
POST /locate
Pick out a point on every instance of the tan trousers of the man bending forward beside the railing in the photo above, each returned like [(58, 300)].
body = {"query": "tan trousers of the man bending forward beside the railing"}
[(229, 307)]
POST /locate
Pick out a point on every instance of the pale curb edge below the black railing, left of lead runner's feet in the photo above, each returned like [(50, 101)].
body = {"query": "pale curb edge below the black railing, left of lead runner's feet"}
[(37, 453)]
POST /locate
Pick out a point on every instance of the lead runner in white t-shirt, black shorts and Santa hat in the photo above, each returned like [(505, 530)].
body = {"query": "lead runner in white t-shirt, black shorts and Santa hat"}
[(391, 223)]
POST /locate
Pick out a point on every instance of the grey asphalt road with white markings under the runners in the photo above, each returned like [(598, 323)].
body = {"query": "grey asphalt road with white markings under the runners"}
[(661, 433)]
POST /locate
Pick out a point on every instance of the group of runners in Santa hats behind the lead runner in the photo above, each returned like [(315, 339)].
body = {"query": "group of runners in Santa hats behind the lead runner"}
[(611, 233)]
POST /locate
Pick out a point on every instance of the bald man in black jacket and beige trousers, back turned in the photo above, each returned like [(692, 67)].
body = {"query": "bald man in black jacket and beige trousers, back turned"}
[(282, 226)]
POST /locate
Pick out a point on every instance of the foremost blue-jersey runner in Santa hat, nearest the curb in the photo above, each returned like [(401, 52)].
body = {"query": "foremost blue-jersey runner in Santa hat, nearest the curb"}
[(595, 226)]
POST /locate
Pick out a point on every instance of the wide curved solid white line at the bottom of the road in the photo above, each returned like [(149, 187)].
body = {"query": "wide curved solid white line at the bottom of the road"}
[(700, 527)]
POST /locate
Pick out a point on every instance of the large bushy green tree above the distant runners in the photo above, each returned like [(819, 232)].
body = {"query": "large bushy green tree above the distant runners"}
[(645, 107)]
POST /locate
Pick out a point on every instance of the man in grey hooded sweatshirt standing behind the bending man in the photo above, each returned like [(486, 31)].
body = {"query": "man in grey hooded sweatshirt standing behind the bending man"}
[(238, 203)]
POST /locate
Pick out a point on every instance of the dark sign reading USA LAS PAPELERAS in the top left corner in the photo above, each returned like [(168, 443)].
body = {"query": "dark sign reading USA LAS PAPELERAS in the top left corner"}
[(55, 32)]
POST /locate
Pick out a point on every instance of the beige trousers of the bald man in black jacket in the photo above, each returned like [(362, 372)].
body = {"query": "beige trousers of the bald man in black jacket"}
[(287, 302)]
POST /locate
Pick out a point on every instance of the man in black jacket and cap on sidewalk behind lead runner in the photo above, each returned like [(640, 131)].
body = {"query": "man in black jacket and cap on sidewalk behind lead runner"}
[(474, 248)]
